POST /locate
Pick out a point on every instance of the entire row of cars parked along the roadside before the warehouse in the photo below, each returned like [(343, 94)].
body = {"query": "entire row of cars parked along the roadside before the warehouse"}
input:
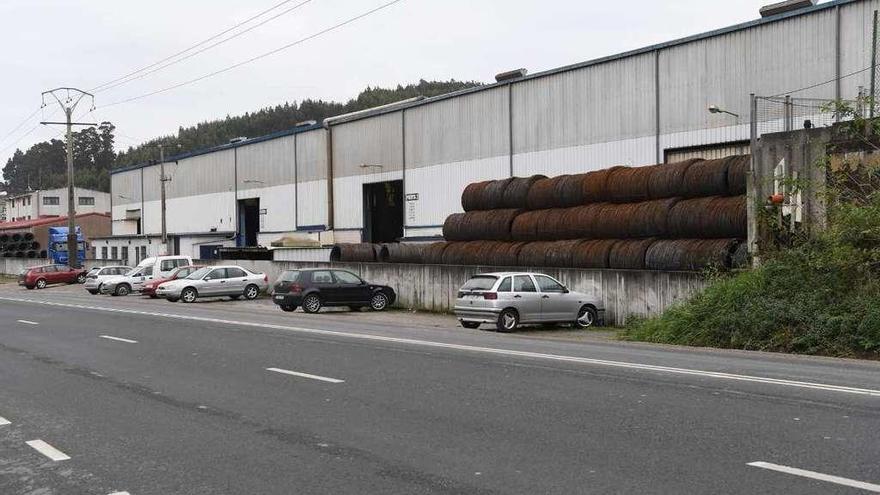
[(505, 300)]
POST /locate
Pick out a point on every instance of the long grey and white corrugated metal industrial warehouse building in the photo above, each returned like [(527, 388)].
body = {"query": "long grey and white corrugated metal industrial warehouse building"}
[(398, 171)]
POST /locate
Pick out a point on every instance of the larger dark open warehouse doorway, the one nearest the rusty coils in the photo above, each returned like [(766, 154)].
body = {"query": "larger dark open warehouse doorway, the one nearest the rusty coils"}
[(383, 211)]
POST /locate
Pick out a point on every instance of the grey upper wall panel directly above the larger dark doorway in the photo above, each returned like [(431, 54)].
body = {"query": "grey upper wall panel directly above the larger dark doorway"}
[(371, 145)]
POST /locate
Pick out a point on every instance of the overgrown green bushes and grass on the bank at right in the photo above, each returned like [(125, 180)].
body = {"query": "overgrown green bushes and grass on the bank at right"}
[(818, 294)]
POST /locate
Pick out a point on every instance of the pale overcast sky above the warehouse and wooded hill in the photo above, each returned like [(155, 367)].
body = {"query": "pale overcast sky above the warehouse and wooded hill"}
[(85, 43)]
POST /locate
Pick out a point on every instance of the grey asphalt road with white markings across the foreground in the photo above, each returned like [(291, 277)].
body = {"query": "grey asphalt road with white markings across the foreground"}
[(149, 397)]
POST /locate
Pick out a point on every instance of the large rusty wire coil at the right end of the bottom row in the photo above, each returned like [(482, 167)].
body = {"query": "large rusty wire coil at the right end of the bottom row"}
[(690, 254)]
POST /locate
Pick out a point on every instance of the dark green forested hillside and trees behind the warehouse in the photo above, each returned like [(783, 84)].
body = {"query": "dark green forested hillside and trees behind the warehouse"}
[(43, 164)]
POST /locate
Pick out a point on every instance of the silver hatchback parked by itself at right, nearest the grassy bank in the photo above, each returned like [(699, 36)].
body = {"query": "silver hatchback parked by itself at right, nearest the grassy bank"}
[(512, 298)]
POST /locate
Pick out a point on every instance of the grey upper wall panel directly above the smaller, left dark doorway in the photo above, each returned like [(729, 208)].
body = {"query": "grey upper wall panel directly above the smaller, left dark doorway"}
[(266, 164)]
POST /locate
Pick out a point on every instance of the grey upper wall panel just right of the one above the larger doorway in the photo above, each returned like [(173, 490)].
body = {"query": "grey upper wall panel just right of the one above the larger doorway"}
[(470, 127)]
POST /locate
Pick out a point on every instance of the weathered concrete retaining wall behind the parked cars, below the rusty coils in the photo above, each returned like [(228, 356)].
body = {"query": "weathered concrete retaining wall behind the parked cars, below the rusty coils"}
[(625, 293)]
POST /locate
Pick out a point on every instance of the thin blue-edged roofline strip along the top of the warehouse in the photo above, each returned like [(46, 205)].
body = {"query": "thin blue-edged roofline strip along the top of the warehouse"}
[(396, 107)]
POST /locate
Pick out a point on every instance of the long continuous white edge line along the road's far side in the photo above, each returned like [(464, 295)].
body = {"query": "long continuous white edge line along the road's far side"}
[(484, 350)]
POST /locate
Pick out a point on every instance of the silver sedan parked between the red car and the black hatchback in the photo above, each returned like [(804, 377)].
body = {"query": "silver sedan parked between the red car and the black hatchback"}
[(215, 281)]
